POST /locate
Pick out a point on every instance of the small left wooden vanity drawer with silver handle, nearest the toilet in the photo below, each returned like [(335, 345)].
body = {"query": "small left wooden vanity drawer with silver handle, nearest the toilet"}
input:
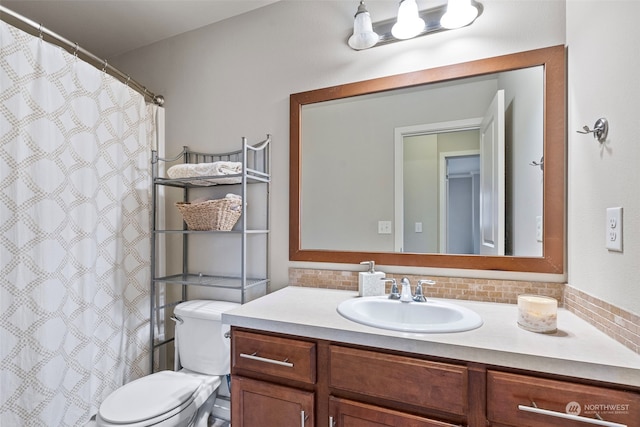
[(280, 357)]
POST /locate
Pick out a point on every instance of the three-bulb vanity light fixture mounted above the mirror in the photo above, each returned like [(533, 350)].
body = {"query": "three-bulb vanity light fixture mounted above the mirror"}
[(411, 22)]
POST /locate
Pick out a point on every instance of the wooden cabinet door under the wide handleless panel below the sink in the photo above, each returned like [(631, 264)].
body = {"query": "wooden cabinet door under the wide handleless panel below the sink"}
[(347, 413)]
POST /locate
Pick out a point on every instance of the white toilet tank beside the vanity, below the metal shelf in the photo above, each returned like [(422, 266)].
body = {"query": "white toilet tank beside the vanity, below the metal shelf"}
[(200, 342)]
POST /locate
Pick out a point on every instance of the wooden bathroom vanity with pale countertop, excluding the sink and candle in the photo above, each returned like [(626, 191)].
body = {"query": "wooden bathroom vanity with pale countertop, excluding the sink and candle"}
[(296, 361)]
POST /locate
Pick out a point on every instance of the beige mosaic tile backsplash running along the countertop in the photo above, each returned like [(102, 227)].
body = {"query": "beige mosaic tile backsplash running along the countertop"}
[(619, 324)]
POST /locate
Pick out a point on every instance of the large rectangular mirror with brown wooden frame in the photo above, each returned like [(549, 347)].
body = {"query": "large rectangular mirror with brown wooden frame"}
[(354, 170)]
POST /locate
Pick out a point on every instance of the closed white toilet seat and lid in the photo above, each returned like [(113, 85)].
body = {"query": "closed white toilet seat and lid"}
[(151, 400)]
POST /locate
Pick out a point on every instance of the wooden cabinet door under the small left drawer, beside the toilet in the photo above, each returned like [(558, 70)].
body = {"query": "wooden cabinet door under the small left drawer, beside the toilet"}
[(262, 404)]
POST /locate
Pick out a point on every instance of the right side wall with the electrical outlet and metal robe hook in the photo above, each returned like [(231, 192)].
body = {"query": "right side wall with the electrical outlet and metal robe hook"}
[(608, 175)]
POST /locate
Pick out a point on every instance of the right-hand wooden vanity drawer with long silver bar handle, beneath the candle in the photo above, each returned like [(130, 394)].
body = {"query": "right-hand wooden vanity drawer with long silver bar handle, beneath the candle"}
[(526, 401)]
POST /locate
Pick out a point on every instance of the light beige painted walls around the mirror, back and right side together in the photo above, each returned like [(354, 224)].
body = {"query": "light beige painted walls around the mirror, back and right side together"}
[(234, 78)]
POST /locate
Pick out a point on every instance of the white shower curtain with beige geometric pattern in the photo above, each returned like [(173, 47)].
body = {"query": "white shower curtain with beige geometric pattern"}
[(74, 233)]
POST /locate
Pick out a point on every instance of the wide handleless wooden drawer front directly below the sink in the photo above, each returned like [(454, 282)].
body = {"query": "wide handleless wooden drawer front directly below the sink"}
[(433, 385)]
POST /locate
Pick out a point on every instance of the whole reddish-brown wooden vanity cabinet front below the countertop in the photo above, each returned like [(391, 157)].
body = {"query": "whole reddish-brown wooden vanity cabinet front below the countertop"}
[(284, 381)]
